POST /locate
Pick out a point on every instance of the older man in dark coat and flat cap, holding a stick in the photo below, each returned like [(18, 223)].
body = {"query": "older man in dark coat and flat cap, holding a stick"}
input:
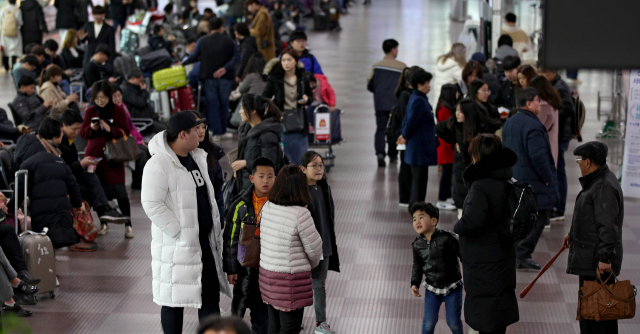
[(595, 237)]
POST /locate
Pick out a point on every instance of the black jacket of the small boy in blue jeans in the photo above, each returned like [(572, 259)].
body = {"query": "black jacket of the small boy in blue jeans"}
[(436, 260)]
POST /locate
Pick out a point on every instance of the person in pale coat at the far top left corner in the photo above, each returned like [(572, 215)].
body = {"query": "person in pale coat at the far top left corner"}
[(10, 36)]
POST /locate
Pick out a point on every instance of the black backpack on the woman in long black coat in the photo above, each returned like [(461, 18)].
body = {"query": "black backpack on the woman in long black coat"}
[(523, 209)]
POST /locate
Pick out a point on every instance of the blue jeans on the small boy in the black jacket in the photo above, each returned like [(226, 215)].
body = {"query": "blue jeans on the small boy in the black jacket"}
[(453, 307)]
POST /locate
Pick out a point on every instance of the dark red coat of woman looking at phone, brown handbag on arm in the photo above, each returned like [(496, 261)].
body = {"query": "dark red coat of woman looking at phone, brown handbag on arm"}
[(109, 172)]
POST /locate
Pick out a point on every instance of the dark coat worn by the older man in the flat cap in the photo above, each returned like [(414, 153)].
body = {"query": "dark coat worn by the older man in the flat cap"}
[(596, 227)]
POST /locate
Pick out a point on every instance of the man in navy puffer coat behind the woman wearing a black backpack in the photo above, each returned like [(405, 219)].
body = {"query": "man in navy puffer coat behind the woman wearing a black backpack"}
[(527, 137)]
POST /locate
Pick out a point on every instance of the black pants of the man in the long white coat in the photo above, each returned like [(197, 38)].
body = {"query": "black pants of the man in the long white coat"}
[(172, 317)]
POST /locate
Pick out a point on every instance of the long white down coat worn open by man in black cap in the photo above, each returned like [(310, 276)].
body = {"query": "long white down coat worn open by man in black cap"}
[(169, 199)]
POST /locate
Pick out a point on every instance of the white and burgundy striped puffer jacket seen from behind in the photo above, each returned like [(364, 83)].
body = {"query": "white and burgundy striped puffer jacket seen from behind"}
[(290, 247)]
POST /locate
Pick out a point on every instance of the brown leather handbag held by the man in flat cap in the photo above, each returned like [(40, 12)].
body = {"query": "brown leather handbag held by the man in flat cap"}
[(600, 301)]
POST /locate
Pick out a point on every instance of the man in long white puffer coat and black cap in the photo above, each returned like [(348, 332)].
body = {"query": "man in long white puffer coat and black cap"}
[(186, 244)]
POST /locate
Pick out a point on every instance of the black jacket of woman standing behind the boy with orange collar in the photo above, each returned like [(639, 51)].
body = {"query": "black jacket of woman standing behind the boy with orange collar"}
[(262, 140)]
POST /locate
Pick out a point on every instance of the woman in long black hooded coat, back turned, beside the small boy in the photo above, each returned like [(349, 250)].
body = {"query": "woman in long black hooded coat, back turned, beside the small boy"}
[(487, 250)]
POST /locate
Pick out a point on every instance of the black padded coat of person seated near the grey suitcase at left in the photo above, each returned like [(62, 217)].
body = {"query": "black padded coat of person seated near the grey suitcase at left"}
[(50, 181)]
